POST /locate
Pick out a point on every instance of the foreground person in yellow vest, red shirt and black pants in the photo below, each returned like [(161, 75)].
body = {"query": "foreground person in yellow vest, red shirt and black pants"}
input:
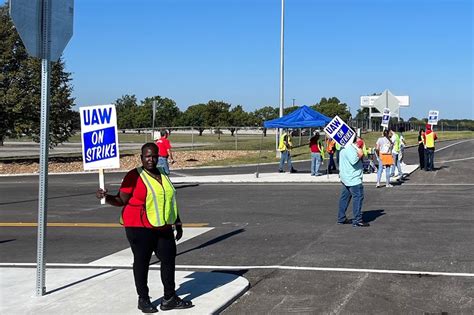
[(149, 214)]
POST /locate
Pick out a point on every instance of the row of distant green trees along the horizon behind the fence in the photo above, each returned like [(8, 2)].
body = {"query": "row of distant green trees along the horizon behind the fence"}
[(132, 114)]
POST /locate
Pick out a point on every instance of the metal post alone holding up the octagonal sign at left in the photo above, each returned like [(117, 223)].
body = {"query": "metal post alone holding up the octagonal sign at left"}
[(44, 150)]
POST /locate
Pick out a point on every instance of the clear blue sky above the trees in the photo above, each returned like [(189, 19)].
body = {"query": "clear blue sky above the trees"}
[(193, 51)]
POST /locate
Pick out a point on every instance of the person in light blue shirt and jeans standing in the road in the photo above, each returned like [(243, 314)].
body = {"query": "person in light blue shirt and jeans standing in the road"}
[(350, 172)]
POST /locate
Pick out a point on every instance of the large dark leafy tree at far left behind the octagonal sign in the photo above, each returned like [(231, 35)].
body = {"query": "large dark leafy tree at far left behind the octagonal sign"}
[(20, 90)]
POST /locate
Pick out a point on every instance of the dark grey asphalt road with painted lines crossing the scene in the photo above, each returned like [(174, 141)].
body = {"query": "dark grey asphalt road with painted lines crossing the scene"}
[(425, 224)]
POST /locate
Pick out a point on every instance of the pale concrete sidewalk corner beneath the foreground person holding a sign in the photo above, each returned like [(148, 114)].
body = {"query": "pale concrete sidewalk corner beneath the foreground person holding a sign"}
[(105, 286)]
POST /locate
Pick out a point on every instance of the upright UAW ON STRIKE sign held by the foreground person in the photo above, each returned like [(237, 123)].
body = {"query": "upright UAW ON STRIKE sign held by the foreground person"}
[(99, 137)]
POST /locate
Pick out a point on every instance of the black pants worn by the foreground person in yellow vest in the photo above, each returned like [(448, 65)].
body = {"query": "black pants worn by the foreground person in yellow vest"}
[(144, 242)]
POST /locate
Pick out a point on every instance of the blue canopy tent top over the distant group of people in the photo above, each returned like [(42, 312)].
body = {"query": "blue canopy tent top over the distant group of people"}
[(303, 117)]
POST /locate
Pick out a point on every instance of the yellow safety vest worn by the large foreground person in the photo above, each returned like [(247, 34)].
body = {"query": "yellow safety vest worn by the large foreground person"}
[(160, 204)]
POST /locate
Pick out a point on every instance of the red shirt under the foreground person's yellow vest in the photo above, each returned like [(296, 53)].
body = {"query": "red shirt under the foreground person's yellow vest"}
[(134, 213)]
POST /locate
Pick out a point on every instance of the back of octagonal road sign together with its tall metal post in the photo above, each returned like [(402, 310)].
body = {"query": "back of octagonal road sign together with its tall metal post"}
[(45, 27)]
